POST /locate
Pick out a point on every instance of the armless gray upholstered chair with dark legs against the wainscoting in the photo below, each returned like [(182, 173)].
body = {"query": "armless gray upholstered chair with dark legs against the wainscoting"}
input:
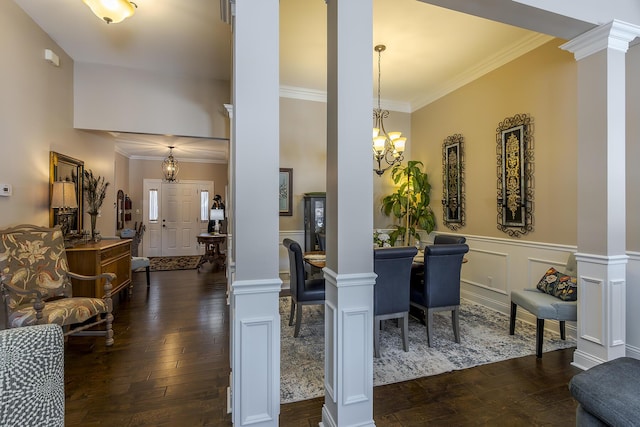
[(545, 306)]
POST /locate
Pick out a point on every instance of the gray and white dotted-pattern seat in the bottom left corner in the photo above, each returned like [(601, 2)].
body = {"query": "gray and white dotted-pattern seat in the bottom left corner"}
[(32, 376)]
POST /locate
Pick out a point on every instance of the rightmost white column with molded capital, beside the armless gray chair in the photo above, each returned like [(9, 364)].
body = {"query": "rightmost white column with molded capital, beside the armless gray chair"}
[(601, 191)]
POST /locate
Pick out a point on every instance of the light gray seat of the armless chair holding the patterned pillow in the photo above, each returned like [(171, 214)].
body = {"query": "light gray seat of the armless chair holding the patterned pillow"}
[(545, 306)]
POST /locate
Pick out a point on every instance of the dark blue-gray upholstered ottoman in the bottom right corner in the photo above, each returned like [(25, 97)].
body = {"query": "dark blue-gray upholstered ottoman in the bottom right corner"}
[(607, 394)]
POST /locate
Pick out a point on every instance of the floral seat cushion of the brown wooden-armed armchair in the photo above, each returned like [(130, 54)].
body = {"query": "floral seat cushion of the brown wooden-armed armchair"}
[(65, 311)]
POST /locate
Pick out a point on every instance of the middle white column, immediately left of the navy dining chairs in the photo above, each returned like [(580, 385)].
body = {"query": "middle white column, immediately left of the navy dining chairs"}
[(349, 272)]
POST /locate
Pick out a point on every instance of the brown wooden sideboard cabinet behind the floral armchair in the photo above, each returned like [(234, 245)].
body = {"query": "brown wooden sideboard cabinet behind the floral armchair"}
[(105, 256)]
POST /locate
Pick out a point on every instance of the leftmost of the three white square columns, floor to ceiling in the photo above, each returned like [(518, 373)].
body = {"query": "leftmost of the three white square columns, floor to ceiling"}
[(255, 321)]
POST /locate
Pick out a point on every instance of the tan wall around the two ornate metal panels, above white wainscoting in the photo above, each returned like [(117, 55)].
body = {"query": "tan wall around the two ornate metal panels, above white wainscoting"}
[(542, 84)]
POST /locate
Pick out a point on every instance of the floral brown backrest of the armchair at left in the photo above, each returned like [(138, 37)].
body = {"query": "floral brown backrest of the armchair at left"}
[(33, 258)]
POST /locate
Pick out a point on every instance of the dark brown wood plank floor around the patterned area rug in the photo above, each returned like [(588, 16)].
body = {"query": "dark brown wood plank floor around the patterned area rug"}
[(169, 366)]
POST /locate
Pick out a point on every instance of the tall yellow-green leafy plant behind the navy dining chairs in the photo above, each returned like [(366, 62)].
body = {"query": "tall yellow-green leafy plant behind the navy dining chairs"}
[(409, 203)]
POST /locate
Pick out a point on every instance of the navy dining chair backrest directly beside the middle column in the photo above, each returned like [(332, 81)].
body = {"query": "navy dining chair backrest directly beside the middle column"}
[(393, 267)]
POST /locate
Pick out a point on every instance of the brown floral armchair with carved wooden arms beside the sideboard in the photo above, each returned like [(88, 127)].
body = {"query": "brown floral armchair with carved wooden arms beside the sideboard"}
[(36, 286)]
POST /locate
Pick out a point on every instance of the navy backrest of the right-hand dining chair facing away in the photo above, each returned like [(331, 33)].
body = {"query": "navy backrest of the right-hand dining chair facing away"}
[(442, 265)]
